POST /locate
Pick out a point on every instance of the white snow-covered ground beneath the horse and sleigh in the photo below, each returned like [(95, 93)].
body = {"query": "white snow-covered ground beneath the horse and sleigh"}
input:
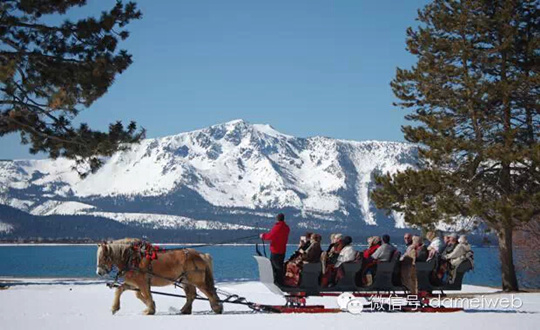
[(70, 304)]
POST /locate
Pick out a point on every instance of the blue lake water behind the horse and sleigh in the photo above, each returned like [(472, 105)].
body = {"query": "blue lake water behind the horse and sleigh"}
[(231, 263)]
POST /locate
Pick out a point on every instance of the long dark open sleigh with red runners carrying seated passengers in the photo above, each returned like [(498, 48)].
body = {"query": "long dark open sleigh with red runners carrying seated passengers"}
[(386, 282)]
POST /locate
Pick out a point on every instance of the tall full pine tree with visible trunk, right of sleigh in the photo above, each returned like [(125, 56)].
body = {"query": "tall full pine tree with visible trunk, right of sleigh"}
[(473, 98)]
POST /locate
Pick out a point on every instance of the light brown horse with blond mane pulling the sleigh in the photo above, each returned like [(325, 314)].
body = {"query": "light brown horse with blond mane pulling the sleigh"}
[(187, 266)]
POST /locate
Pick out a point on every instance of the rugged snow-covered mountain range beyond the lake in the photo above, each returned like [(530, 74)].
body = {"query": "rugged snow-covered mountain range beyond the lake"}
[(234, 174)]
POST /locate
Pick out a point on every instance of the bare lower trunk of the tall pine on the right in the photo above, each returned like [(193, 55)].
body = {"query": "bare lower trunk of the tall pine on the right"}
[(506, 255)]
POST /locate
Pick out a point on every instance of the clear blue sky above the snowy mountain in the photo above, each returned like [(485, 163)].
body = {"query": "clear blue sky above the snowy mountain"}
[(306, 67)]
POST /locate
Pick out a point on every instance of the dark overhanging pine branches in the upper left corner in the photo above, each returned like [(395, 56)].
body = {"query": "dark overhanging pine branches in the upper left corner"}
[(49, 73)]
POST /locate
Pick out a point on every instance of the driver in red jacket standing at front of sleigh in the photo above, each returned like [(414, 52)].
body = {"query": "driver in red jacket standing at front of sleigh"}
[(278, 237)]
